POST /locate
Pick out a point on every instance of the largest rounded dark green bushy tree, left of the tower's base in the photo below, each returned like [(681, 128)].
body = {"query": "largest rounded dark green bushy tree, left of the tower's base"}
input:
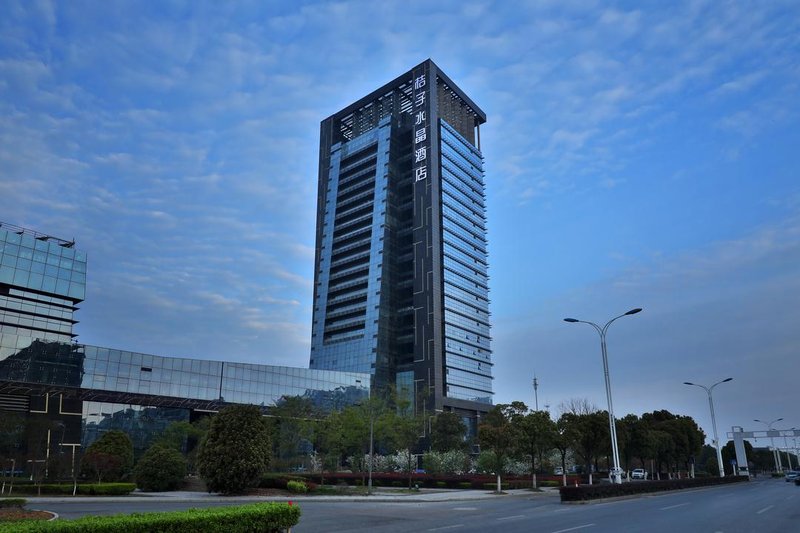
[(236, 451)]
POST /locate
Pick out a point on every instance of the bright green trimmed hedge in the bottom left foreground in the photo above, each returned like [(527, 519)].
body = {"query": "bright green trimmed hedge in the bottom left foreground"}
[(257, 517)]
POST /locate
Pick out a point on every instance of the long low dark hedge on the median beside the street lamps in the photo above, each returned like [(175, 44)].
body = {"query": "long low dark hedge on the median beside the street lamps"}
[(609, 490)]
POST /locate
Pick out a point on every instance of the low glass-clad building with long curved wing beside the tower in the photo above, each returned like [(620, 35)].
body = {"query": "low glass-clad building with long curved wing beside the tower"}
[(69, 393)]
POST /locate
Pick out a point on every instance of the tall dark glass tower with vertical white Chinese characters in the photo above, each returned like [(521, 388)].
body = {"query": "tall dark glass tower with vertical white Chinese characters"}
[(401, 284)]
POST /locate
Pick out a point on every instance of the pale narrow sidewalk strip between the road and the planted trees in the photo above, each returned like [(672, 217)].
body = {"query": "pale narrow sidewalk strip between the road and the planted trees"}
[(380, 494)]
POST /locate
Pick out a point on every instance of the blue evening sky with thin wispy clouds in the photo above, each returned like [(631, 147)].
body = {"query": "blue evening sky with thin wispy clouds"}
[(638, 154)]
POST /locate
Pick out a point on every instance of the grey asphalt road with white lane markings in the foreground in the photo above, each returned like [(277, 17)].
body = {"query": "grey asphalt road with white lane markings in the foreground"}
[(763, 505)]
